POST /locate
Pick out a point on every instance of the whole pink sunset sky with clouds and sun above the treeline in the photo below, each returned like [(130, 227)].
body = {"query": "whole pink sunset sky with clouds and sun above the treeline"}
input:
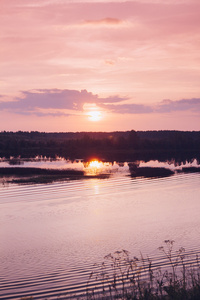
[(99, 65)]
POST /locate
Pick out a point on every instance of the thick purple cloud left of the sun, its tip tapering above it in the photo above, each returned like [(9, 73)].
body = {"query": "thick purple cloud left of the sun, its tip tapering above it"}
[(37, 101)]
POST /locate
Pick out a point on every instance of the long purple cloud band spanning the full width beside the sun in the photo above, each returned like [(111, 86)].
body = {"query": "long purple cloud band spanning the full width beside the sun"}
[(56, 102)]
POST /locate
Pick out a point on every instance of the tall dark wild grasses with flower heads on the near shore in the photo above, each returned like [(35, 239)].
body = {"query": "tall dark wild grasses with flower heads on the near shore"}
[(139, 278)]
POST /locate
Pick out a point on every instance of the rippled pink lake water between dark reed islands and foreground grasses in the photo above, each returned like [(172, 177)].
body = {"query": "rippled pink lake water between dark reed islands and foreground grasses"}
[(51, 235)]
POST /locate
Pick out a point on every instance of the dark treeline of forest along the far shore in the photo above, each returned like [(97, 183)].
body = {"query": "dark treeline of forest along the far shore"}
[(107, 146)]
